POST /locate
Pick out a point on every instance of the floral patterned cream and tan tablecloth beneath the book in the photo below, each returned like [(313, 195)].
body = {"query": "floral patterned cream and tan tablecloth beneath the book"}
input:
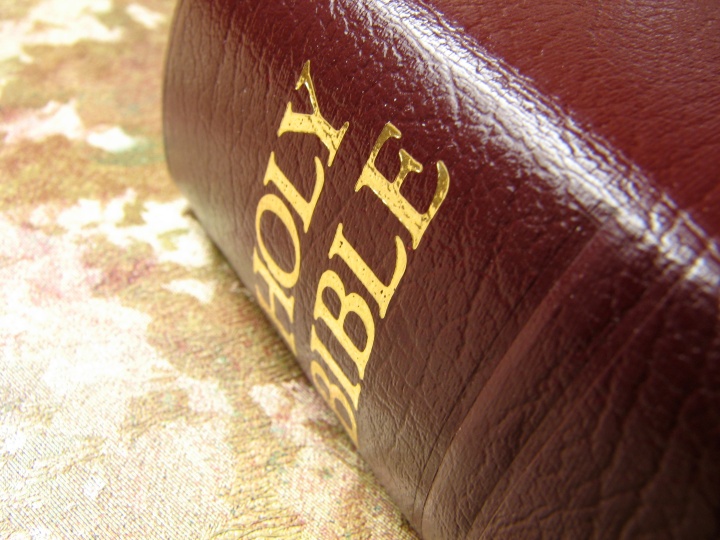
[(142, 393)]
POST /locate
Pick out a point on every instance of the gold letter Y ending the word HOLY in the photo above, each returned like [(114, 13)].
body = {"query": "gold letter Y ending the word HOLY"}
[(313, 123)]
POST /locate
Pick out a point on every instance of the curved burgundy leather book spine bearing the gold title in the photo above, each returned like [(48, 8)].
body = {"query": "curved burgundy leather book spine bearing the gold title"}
[(516, 327)]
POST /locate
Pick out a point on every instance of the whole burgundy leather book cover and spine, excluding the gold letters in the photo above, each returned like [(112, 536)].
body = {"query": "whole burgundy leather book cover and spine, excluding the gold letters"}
[(549, 364)]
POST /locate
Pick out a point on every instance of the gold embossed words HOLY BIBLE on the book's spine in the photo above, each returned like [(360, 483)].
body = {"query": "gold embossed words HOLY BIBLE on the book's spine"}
[(333, 380)]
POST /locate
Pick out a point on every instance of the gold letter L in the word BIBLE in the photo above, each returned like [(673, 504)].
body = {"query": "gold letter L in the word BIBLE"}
[(380, 292)]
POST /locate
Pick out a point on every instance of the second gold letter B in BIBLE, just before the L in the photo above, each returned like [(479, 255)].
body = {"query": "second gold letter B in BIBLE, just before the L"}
[(354, 303)]
